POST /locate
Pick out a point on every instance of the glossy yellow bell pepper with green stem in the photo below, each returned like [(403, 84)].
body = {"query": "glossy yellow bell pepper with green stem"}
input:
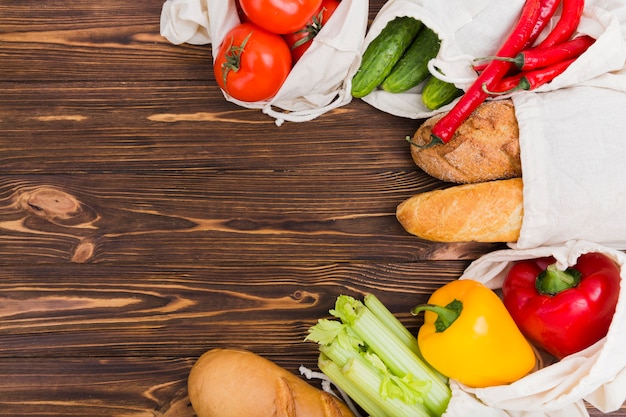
[(468, 335)]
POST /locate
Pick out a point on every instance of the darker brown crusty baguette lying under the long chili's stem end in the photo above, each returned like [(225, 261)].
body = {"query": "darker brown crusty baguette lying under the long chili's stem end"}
[(484, 148)]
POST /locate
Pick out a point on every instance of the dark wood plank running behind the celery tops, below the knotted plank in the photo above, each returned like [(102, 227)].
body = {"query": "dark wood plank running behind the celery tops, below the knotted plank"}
[(90, 311)]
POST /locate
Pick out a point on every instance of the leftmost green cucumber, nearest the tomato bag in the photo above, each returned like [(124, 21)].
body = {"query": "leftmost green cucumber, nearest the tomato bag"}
[(382, 54)]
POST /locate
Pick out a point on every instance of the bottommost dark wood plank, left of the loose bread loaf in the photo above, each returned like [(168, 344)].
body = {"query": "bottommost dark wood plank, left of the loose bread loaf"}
[(120, 387)]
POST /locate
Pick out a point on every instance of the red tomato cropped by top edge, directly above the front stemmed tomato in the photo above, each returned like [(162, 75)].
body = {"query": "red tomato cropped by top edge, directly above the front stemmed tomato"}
[(280, 16)]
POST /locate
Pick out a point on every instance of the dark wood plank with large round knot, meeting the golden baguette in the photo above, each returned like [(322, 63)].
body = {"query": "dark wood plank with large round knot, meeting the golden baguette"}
[(219, 218)]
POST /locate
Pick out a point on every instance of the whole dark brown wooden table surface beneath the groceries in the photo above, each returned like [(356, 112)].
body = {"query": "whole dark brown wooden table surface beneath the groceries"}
[(145, 220)]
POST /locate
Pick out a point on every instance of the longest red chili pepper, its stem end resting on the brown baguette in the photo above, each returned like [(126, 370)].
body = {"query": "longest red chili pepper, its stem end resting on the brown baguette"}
[(444, 129)]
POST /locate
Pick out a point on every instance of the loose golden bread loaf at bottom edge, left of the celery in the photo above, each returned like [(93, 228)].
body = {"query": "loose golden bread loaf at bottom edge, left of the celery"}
[(239, 383)]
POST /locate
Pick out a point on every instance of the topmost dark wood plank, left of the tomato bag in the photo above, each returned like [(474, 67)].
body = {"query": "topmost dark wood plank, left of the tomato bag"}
[(112, 40)]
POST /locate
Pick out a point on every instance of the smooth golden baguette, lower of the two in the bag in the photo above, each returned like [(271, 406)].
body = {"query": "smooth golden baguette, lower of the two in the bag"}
[(484, 212)]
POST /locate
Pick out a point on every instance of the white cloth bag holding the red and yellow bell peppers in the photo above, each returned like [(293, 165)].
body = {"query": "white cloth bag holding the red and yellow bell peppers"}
[(596, 374)]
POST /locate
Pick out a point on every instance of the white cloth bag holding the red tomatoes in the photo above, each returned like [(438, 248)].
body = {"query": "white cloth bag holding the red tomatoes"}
[(319, 82)]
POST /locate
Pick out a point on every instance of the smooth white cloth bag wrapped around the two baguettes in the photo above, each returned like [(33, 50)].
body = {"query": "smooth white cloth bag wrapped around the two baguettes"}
[(573, 166)]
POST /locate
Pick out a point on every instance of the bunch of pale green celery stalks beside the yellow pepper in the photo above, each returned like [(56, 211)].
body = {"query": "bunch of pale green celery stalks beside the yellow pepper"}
[(369, 354)]
